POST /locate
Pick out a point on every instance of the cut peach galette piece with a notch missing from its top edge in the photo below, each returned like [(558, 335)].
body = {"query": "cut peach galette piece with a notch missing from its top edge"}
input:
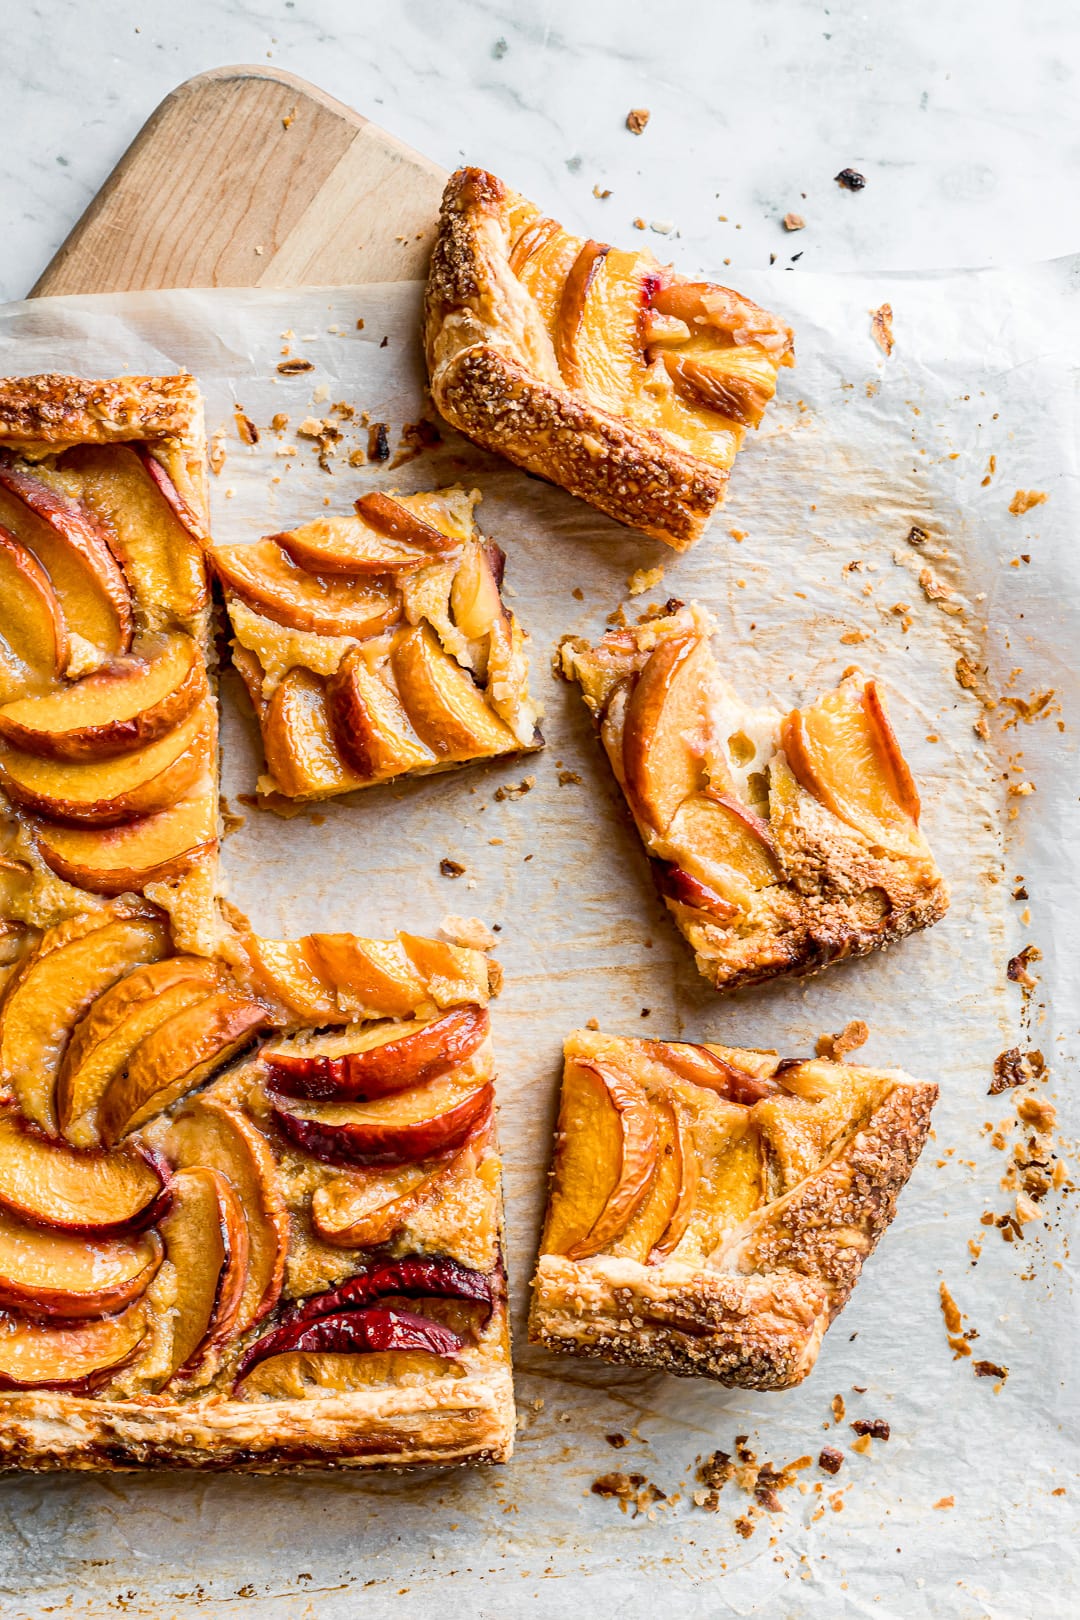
[(780, 842)]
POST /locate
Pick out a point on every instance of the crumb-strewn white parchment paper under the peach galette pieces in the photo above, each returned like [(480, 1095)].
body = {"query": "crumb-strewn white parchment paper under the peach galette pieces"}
[(971, 1507)]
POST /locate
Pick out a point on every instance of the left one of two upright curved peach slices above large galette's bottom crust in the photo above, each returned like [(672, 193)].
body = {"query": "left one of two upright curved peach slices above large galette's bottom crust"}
[(206, 1242)]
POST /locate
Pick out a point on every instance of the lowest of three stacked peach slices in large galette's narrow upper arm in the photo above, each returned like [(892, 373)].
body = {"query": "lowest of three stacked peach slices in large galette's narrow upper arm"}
[(124, 859)]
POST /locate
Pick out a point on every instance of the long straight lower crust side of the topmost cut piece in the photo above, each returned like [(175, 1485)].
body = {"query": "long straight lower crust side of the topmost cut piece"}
[(631, 474)]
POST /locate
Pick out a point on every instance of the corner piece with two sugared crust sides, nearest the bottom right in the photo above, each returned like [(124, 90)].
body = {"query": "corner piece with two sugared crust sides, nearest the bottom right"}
[(712, 1209)]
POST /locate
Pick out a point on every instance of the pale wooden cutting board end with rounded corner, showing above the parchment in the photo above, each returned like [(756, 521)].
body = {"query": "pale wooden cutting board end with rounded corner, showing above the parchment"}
[(252, 177)]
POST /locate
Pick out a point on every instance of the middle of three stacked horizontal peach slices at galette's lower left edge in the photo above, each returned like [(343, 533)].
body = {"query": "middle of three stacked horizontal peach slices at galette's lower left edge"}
[(57, 1274)]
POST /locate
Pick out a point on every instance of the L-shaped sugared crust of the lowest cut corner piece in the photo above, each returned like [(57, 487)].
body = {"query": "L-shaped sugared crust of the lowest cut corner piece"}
[(757, 1315)]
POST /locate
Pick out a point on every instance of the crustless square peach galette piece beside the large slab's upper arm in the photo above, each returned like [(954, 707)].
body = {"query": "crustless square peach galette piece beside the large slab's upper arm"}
[(378, 646)]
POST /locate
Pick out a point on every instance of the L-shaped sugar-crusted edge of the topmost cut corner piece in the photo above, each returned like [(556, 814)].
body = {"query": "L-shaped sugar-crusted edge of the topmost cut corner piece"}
[(478, 344)]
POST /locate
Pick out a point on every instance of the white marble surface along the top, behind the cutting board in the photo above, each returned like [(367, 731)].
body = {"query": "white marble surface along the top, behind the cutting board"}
[(961, 116)]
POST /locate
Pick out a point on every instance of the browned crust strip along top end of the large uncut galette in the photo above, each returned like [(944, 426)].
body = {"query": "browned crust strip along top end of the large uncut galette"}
[(54, 411)]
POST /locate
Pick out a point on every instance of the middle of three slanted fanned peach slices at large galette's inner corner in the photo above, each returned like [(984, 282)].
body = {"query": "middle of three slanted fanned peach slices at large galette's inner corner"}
[(104, 1042)]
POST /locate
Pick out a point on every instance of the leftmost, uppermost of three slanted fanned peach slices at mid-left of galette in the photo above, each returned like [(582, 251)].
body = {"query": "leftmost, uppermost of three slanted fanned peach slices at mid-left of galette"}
[(75, 963)]
